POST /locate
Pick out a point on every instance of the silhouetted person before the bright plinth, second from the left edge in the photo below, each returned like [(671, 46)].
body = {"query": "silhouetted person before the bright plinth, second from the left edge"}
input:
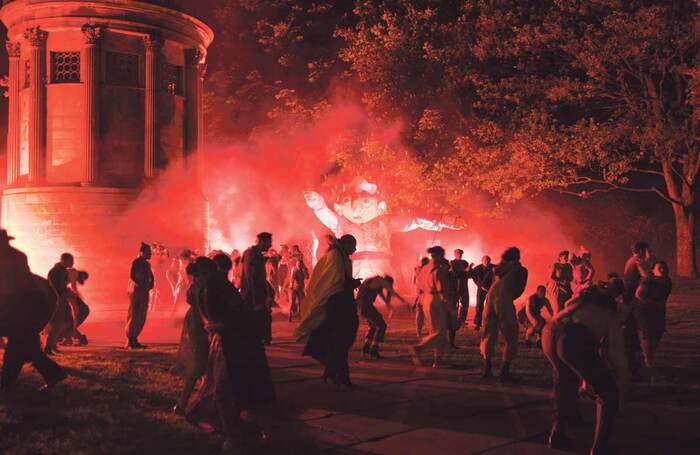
[(62, 322)]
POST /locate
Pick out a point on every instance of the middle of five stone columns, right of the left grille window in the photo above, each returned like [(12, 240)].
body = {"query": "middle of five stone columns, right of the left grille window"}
[(90, 68)]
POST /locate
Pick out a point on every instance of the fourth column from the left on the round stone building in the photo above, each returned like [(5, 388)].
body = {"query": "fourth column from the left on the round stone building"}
[(153, 44)]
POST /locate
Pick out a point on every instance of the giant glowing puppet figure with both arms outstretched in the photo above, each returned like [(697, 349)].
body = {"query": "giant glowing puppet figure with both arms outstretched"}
[(362, 213)]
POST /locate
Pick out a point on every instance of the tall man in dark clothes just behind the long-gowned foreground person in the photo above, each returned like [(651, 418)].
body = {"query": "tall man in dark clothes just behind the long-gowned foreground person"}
[(255, 289)]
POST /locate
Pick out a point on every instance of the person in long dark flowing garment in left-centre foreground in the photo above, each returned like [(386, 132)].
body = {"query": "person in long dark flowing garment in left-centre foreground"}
[(237, 382)]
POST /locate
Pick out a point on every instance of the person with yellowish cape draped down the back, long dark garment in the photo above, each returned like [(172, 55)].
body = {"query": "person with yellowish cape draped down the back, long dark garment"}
[(329, 318)]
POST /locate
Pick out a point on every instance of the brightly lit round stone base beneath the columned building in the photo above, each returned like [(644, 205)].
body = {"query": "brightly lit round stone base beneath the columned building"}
[(85, 221)]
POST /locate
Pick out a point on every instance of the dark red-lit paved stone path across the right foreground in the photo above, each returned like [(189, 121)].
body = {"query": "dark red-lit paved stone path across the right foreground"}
[(399, 409)]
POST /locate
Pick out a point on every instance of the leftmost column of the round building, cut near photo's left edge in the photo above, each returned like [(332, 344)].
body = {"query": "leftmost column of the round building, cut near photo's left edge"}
[(13, 112)]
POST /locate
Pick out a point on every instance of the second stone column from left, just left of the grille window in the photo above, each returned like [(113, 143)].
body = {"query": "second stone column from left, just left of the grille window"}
[(36, 37)]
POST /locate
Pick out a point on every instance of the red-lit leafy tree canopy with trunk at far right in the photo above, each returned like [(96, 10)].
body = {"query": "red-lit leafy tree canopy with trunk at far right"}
[(577, 96)]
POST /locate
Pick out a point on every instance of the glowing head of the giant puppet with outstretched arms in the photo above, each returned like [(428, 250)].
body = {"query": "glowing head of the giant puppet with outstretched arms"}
[(360, 203)]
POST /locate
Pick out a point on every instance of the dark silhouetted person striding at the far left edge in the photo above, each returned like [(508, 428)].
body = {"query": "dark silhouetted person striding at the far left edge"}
[(27, 302)]
